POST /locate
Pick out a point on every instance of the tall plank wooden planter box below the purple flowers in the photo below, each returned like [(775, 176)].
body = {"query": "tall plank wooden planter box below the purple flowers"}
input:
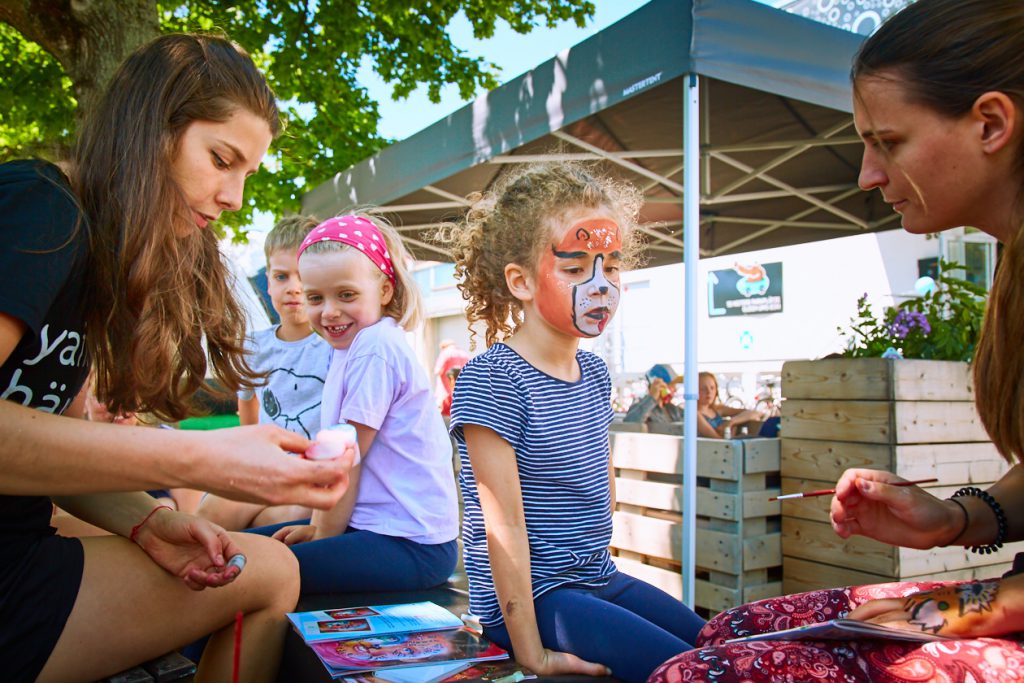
[(914, 418)]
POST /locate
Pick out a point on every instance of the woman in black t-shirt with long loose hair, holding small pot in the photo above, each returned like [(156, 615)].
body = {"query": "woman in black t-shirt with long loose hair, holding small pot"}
[(114, 267)]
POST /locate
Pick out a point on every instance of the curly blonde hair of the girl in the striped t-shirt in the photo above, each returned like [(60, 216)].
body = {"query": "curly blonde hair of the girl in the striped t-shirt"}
[(511, 224)]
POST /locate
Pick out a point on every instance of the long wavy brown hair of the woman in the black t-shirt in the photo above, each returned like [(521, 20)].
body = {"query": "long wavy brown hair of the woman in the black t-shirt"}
[(157, 285)]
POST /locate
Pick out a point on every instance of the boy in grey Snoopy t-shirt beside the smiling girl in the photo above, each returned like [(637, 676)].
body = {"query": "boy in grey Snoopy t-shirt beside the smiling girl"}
[(295, 362)]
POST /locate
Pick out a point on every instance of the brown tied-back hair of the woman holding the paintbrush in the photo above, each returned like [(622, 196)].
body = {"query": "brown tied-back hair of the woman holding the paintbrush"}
[(947, 54)]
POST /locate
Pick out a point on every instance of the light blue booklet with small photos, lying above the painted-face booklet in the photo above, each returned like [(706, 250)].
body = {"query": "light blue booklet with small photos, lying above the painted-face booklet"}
[(331, 625)]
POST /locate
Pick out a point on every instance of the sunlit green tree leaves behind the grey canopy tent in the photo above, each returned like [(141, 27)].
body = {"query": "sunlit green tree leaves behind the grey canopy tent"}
[(312, 53)]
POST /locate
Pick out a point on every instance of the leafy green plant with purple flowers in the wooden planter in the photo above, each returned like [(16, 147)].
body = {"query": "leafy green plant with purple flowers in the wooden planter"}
[(943, 325)]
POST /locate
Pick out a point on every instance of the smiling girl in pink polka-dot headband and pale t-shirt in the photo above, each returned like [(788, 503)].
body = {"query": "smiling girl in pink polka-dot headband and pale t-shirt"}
[(395, 530)]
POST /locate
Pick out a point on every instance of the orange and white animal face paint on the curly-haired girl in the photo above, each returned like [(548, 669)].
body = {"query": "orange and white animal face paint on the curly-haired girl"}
[(578, 276)]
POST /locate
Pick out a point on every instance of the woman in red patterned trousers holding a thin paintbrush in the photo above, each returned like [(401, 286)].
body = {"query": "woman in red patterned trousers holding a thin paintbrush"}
[(940, 103)]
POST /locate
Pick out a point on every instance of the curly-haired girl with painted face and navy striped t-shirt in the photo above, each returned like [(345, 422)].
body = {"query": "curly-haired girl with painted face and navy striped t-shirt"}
[(539, 259)]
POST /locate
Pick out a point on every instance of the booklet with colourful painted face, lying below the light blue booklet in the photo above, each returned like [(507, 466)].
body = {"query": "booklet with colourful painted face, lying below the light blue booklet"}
[(347, 658)]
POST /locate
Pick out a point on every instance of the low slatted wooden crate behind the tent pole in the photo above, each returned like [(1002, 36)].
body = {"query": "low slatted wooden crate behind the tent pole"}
[(739, 541)]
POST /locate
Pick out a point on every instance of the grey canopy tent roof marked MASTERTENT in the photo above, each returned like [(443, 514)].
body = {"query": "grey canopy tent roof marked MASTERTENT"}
[(780, 154)]
